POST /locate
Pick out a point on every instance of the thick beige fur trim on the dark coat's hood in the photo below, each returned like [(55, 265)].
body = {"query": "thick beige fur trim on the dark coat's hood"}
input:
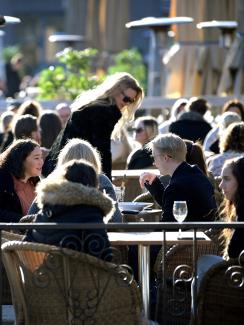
[(62, 192)]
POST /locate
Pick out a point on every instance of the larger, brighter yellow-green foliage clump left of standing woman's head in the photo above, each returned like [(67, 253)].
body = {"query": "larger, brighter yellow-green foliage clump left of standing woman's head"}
[(70, 77)]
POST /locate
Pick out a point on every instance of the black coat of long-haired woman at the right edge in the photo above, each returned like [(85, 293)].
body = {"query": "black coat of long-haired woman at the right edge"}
[(237, 243)]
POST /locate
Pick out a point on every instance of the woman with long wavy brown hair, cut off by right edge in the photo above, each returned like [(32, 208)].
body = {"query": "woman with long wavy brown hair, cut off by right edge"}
[(232, 185)]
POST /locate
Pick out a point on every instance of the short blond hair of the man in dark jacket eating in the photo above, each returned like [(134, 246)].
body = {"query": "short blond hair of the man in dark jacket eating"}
[(170, 144)]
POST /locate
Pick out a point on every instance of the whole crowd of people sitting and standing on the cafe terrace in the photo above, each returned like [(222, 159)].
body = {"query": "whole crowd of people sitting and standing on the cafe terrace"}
[(55, 165)]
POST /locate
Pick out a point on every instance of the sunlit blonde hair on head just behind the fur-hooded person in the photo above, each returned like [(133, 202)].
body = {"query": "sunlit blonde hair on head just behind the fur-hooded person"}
[(80, 149)]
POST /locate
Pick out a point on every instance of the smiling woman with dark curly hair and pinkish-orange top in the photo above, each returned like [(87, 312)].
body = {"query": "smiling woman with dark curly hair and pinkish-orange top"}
[(20, 168)]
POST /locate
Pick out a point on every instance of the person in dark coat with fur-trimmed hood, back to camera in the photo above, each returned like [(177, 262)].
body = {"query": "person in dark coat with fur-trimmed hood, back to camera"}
[(71, 195)]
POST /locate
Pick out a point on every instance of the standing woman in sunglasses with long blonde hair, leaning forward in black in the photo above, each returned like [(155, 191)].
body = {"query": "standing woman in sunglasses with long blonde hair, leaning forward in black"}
[(98, 113)]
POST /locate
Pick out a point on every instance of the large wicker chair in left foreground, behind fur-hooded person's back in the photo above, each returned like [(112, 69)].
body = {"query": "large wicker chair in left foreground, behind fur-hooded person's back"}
[(61, 286)]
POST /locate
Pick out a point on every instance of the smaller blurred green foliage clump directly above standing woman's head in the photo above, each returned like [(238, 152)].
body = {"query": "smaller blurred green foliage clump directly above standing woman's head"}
[(130, 61)]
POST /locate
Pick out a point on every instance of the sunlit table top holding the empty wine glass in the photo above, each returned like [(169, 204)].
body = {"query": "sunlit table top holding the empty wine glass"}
[(154, 238)]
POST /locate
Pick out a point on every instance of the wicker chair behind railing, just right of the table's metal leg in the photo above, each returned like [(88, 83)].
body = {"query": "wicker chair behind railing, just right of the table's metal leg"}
[(174, 294)]
